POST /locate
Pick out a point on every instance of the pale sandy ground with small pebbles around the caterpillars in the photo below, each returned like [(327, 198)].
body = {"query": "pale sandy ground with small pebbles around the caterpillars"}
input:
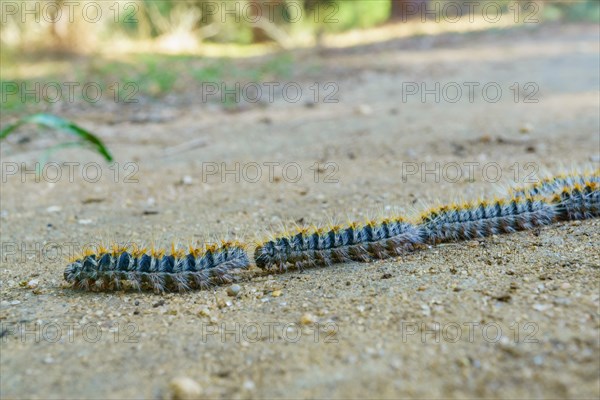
[(508, 316)]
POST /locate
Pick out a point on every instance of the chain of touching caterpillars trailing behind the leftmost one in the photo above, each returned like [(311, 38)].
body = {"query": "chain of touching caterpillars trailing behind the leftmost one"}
[(562, 198)]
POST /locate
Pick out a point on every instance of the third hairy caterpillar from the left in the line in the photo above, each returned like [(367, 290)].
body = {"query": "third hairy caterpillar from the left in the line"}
[(477, 220)]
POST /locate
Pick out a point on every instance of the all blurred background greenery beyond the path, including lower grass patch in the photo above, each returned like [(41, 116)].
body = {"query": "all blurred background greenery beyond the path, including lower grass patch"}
[(171, 47)]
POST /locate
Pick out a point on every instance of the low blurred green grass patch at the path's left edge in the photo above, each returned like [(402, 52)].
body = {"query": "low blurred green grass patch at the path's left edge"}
[(144, 76)]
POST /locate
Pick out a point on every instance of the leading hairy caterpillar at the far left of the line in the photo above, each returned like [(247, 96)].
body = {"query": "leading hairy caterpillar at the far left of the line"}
[(107, 269)]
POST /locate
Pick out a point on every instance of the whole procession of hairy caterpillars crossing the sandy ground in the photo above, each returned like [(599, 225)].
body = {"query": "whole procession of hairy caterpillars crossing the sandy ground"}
[(562, 198)]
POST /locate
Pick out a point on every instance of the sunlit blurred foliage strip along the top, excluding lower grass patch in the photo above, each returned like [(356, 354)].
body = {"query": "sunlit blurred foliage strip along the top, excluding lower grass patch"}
[(183, 25)]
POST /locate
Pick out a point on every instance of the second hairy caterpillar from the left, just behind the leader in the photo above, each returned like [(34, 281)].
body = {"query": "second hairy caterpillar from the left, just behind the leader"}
[(318, 247)]
